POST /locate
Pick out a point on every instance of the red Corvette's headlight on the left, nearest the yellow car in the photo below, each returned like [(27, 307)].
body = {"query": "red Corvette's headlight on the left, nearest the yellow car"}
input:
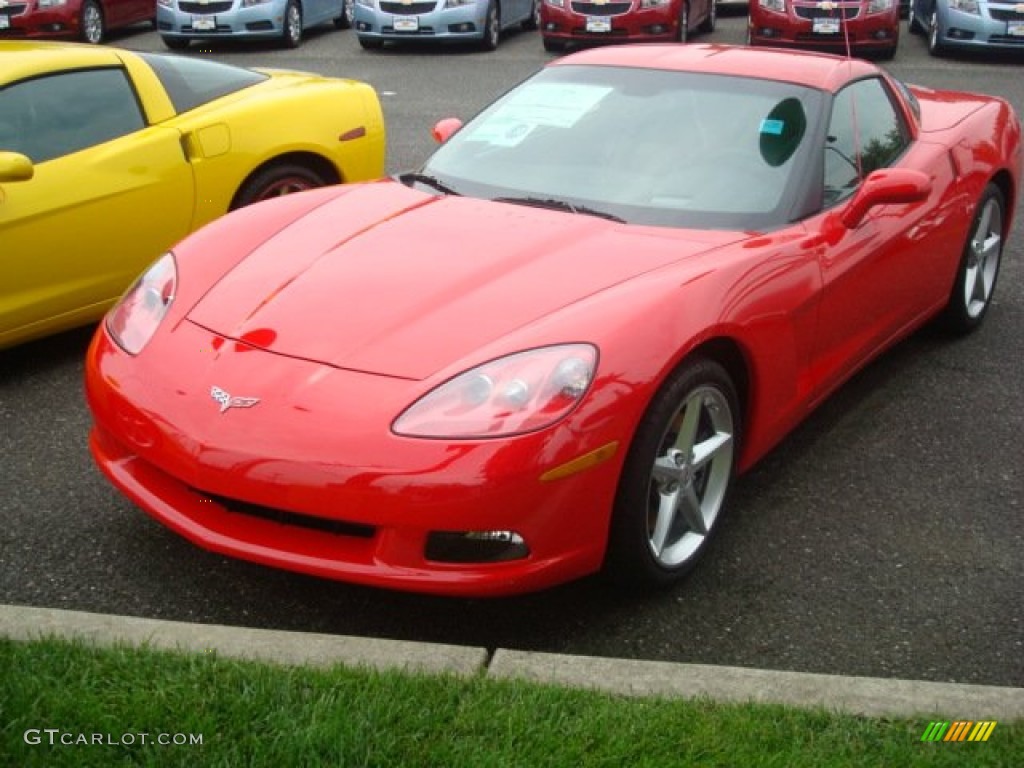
[(135, 320)]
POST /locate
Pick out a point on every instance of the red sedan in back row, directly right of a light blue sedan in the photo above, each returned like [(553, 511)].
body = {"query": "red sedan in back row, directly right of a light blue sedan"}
[(565, 22)]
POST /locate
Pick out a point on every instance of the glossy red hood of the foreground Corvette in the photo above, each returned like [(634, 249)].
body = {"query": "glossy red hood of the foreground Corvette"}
[(390, 281)]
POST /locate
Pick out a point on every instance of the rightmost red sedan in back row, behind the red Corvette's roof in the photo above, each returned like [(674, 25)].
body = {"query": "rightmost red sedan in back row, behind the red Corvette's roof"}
[(867, 27)]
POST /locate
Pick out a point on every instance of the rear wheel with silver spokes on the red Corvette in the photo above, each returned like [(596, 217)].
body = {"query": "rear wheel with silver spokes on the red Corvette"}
[(979, 268)]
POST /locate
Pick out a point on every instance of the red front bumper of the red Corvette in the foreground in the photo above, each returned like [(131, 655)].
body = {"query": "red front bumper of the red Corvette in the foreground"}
[(313, 481)]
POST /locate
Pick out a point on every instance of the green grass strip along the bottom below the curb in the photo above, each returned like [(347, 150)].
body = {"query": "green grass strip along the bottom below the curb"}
[(251, 714)]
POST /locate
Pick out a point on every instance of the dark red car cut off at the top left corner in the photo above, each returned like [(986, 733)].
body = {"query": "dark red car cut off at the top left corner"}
[(86, 20)]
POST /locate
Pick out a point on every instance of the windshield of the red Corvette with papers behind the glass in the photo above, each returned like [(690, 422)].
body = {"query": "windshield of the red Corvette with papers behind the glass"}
[(645, 146)]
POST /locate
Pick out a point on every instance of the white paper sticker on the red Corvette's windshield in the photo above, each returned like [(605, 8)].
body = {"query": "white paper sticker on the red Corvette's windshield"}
[(556, 105)]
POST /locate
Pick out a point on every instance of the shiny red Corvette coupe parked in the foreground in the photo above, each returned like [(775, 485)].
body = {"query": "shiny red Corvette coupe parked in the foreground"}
[(550, 350)]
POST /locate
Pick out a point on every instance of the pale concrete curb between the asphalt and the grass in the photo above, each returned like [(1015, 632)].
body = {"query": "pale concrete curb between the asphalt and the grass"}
[(857, 696)]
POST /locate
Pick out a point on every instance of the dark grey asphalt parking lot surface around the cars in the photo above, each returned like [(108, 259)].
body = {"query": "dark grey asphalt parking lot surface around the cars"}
[(884, 538)]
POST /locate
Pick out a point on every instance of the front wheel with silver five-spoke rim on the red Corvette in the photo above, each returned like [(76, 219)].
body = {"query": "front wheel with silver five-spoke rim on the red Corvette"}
[(665, 498)]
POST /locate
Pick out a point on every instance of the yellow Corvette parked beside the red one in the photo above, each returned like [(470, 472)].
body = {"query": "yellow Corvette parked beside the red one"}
[(110, 157)]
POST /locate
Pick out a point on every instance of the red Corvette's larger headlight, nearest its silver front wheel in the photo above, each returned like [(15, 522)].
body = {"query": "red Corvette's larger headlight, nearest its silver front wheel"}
[(519, 394)]
